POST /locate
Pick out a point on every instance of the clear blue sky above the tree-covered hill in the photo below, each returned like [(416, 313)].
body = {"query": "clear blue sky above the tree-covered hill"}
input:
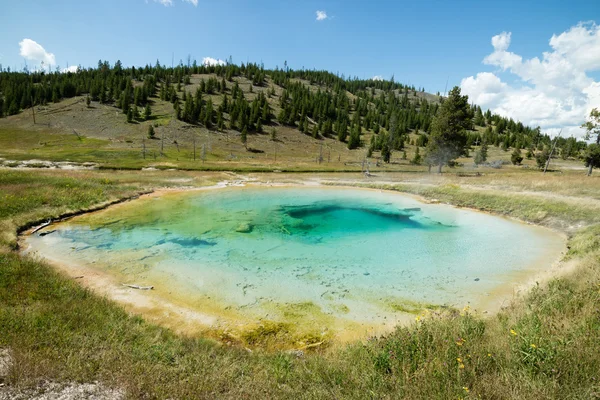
[(423, 43)]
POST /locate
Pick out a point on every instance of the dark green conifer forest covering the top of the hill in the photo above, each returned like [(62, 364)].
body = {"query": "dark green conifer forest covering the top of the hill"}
[(339, 107)]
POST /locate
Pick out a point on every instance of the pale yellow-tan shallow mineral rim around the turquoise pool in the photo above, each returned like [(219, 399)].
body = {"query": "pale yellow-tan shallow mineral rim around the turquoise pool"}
[(188, 313)]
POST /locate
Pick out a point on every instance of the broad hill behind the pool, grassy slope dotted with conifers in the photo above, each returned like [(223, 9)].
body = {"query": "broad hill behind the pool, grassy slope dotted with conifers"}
[(294, 120)]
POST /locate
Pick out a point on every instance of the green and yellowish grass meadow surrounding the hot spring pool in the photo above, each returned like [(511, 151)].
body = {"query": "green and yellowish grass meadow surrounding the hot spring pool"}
[(546, 345)]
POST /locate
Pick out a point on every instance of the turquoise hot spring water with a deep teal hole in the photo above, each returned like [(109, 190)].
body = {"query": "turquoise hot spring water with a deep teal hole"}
[(358, 255)]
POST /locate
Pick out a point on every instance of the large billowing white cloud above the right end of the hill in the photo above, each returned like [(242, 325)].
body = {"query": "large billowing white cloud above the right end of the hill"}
[(554, 91)]
